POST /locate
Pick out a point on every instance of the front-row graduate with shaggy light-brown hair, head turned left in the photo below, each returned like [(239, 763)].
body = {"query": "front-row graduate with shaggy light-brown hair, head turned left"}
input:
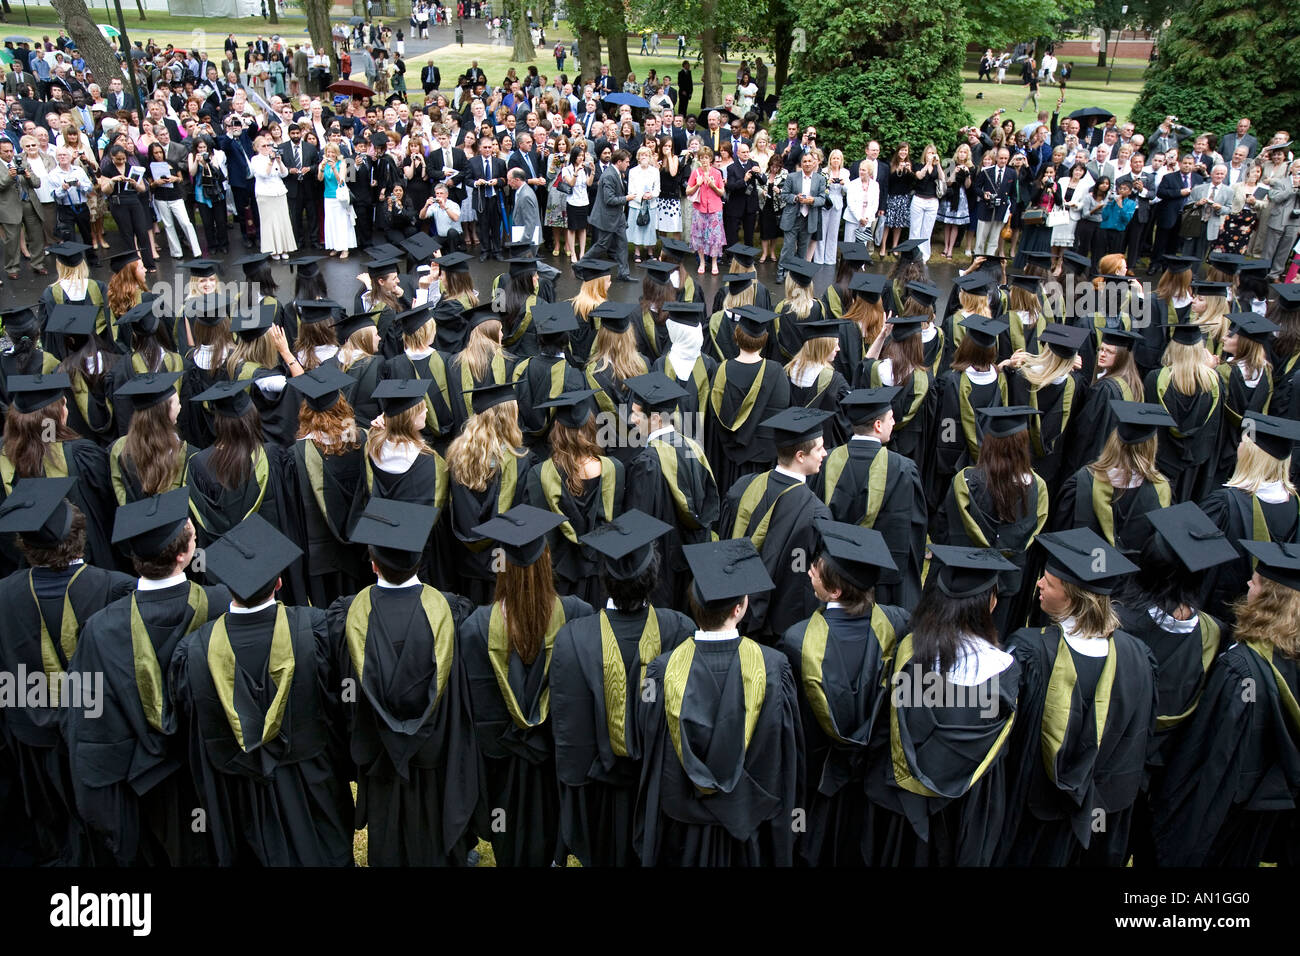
[(1085, 716)]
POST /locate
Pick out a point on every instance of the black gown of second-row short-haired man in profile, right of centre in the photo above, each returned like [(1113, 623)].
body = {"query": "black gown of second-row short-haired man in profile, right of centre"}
[(777, 513)]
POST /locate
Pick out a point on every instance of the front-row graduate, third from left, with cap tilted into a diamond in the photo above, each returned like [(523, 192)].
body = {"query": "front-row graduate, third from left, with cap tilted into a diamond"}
[(259, 690)]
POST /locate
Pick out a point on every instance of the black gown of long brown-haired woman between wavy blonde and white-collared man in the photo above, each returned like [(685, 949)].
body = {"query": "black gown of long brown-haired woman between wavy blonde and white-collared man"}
[(578, 568)]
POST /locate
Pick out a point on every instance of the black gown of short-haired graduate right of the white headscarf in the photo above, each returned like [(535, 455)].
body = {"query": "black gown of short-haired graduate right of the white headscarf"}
[(742, 397)]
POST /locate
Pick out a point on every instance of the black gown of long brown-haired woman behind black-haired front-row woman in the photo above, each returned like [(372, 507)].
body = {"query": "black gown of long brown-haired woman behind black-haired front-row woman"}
[(969, 520)]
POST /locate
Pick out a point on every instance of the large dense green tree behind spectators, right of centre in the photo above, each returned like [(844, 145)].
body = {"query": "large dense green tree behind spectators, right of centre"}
[(879, 72)]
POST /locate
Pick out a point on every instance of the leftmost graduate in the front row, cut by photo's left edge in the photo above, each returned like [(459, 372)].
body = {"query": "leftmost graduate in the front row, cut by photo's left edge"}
[(46, 608)]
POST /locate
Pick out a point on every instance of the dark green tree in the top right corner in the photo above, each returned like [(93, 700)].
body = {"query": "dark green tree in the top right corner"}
[(1221, 60)]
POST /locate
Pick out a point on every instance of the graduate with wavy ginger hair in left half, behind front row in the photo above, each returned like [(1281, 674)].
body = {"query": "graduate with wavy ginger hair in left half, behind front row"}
[(323, 470)]
